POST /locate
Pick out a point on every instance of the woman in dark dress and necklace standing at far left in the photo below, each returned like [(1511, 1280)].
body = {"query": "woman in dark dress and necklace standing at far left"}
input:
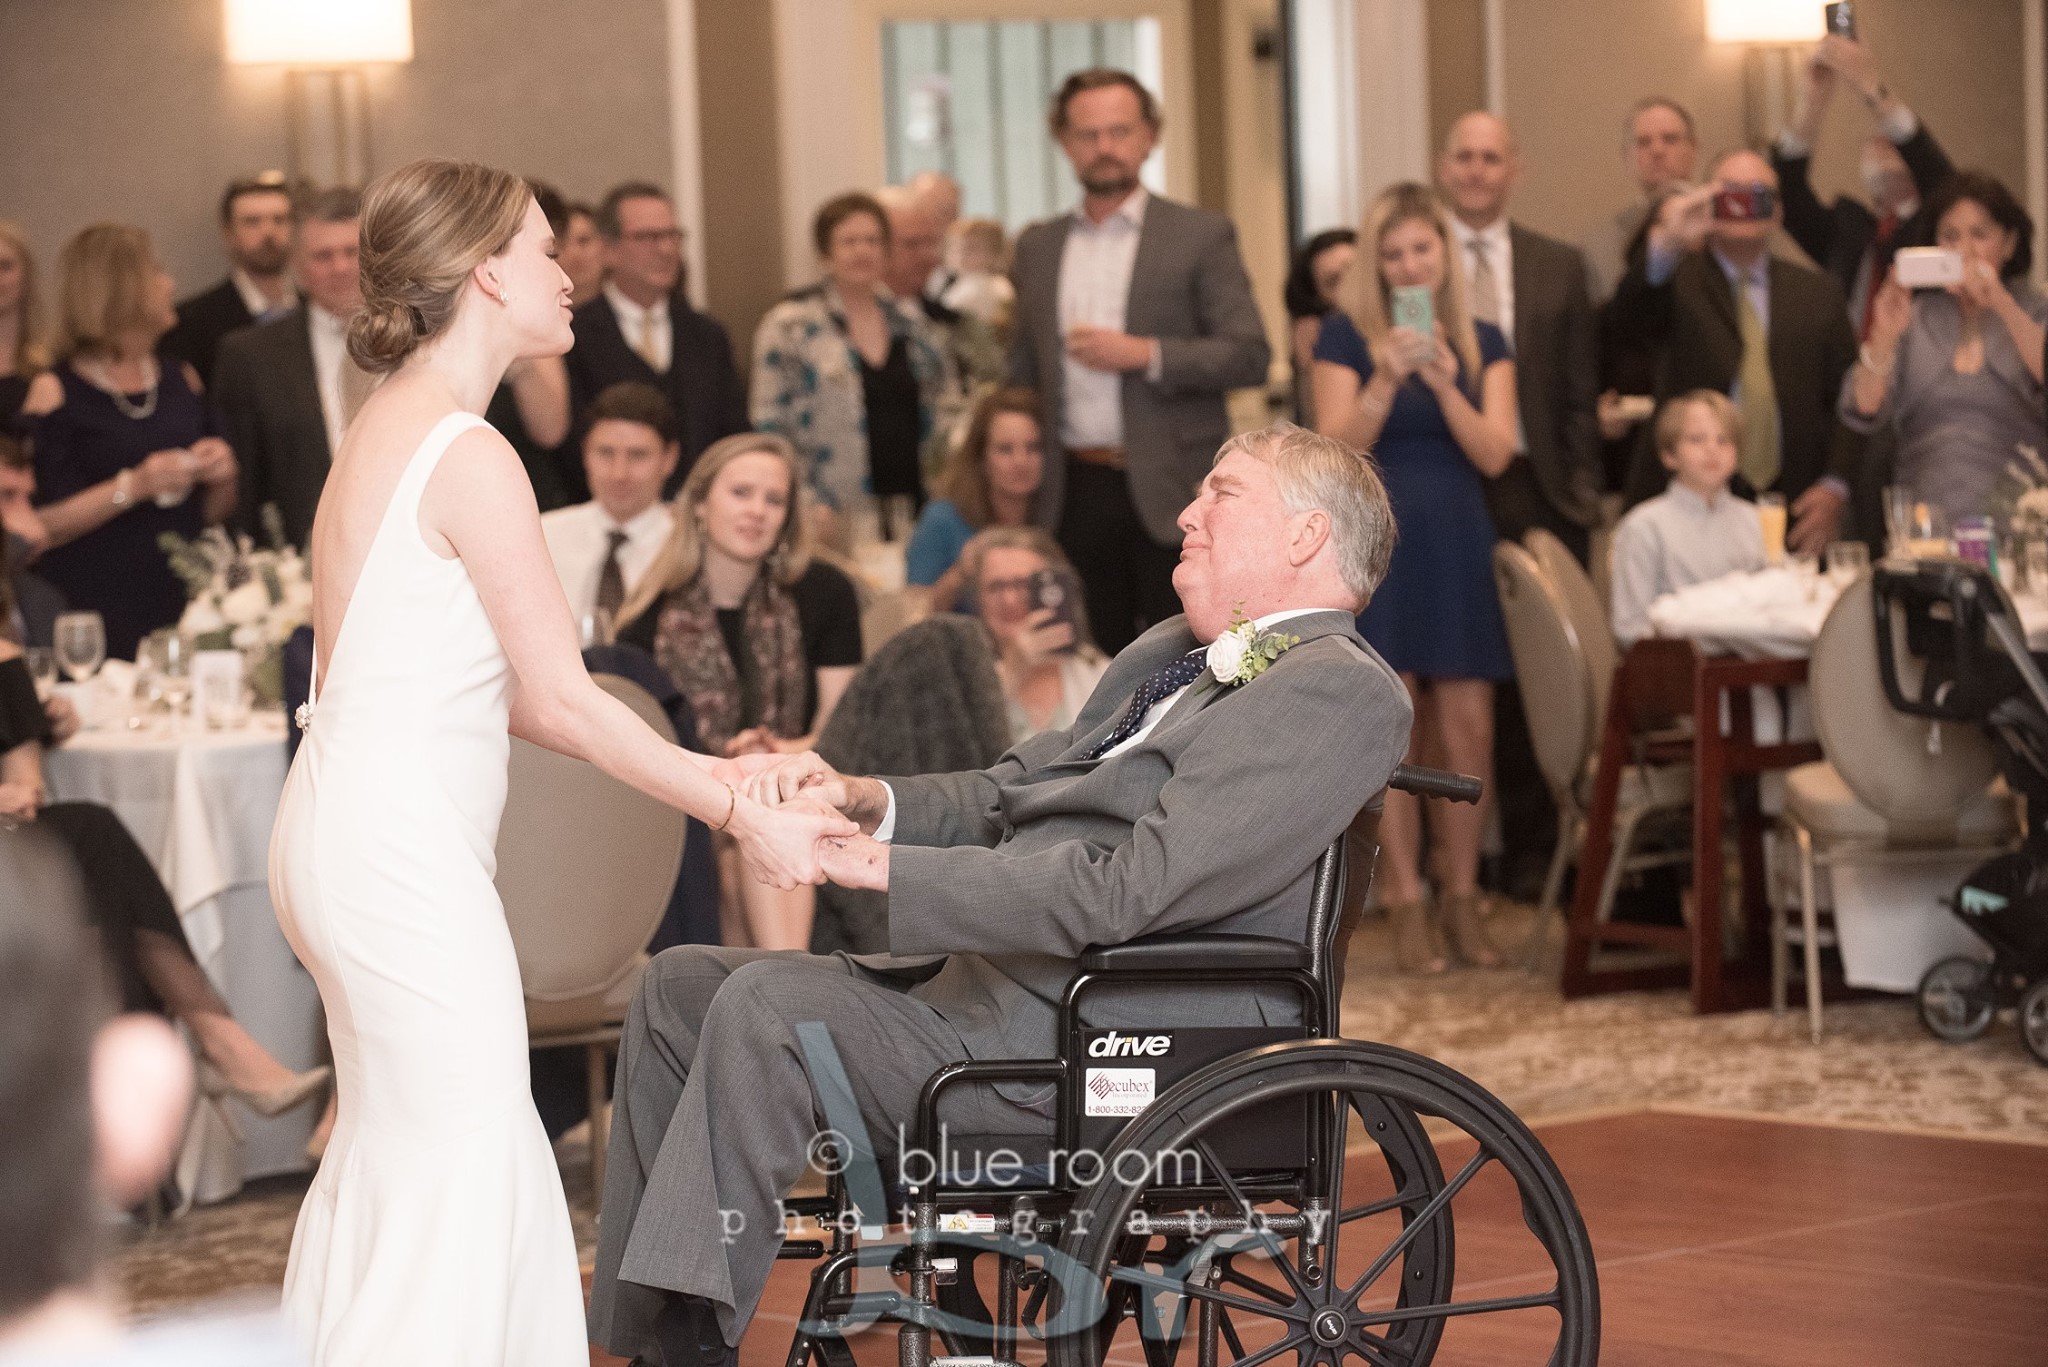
[(124, 448)]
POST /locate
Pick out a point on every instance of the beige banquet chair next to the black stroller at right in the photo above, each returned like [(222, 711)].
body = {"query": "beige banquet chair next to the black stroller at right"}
[(1887, 792)]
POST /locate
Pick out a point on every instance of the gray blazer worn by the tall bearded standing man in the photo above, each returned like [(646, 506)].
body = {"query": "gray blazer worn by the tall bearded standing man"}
[(1189, 288)]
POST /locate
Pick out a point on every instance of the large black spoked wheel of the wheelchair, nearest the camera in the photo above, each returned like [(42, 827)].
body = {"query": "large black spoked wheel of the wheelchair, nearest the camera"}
[(1355, 1264)]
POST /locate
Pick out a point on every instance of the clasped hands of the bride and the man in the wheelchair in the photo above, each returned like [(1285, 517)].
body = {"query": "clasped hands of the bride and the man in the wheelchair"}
[(800, 821)]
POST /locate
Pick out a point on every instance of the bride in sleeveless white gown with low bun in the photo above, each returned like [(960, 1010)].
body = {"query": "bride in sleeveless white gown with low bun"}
[(437, 1227)]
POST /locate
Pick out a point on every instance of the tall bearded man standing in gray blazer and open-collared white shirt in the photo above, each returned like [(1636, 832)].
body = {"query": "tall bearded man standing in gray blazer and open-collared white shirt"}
[(1134, 319)]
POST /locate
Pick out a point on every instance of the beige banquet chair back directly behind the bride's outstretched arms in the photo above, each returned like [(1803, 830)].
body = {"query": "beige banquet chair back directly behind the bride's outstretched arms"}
[(585, 868)]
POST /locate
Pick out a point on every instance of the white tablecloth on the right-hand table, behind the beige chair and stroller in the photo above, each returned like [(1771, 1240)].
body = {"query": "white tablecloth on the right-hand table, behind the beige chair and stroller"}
[(1889, 919)]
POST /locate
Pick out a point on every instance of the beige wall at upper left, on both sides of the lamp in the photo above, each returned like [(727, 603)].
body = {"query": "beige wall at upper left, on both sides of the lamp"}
[(126, 110)]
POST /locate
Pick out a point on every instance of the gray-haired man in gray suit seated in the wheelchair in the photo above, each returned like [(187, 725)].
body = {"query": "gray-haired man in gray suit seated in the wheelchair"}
[(1177, 802)]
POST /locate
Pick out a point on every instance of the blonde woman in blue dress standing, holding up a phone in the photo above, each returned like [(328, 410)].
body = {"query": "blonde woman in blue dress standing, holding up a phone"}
[(1439, 413)]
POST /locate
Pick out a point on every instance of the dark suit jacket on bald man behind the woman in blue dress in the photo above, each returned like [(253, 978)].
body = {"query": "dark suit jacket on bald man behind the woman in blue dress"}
[(1558, 372)]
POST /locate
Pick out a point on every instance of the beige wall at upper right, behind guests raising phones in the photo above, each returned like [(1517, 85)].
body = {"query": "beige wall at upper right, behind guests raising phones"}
[(1576, 67)]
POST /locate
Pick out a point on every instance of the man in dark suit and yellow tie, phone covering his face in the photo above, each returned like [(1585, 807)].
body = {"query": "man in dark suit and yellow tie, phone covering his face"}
[(1725, 315)]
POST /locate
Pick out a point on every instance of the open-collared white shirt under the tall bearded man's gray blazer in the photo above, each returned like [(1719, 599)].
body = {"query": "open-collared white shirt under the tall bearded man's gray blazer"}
[(1095, 286)]
